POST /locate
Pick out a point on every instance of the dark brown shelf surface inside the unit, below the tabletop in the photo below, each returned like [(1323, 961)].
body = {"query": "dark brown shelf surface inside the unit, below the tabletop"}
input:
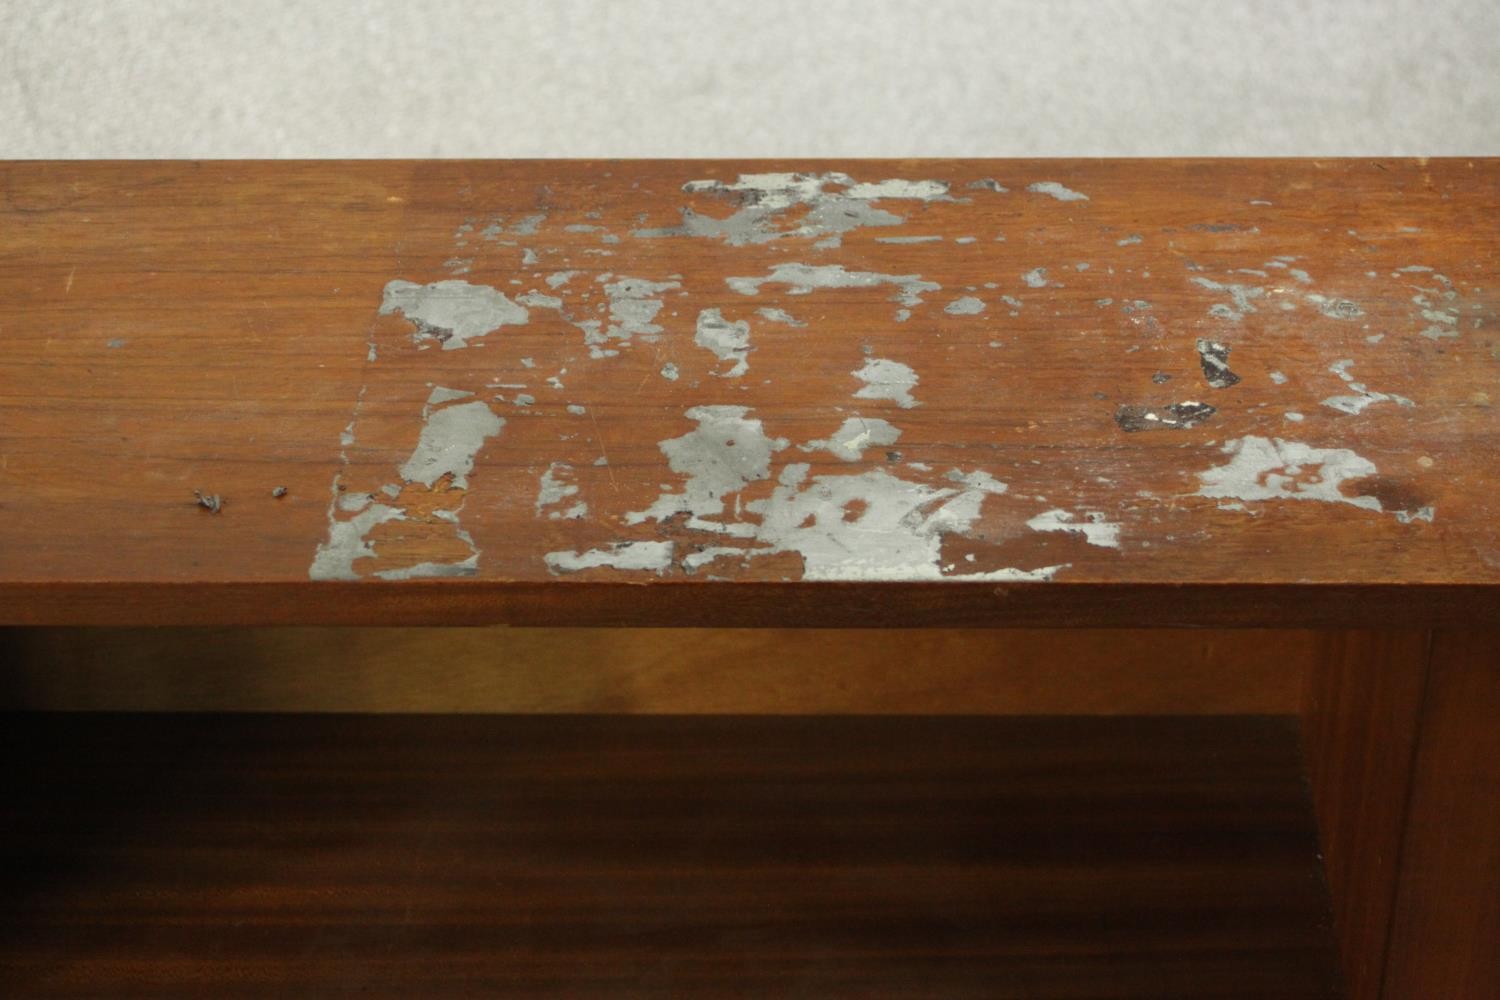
[(659, 857)]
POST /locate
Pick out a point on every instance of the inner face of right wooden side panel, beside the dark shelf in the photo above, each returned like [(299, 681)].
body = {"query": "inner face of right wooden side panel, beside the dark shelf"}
[(1364, 707)]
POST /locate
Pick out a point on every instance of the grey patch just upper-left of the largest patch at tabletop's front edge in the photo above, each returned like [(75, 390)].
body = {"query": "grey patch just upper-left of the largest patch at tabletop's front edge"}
[(718, 460)]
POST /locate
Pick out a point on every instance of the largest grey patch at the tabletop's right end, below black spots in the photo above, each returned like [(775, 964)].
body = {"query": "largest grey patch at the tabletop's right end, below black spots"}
[(1267, 470)]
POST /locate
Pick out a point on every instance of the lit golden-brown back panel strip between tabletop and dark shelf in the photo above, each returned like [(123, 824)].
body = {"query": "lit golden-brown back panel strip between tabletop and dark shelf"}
[(1003, 672)]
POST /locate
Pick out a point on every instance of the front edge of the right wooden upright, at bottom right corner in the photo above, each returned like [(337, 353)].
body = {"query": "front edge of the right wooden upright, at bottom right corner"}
[(1447, 924)]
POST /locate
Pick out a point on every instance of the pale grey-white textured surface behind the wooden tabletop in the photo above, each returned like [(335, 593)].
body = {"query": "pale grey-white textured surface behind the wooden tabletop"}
[(755, 79)]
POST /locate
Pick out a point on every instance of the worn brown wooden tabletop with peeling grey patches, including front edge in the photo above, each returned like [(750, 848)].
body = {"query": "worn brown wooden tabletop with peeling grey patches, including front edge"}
[(860, 394)]
